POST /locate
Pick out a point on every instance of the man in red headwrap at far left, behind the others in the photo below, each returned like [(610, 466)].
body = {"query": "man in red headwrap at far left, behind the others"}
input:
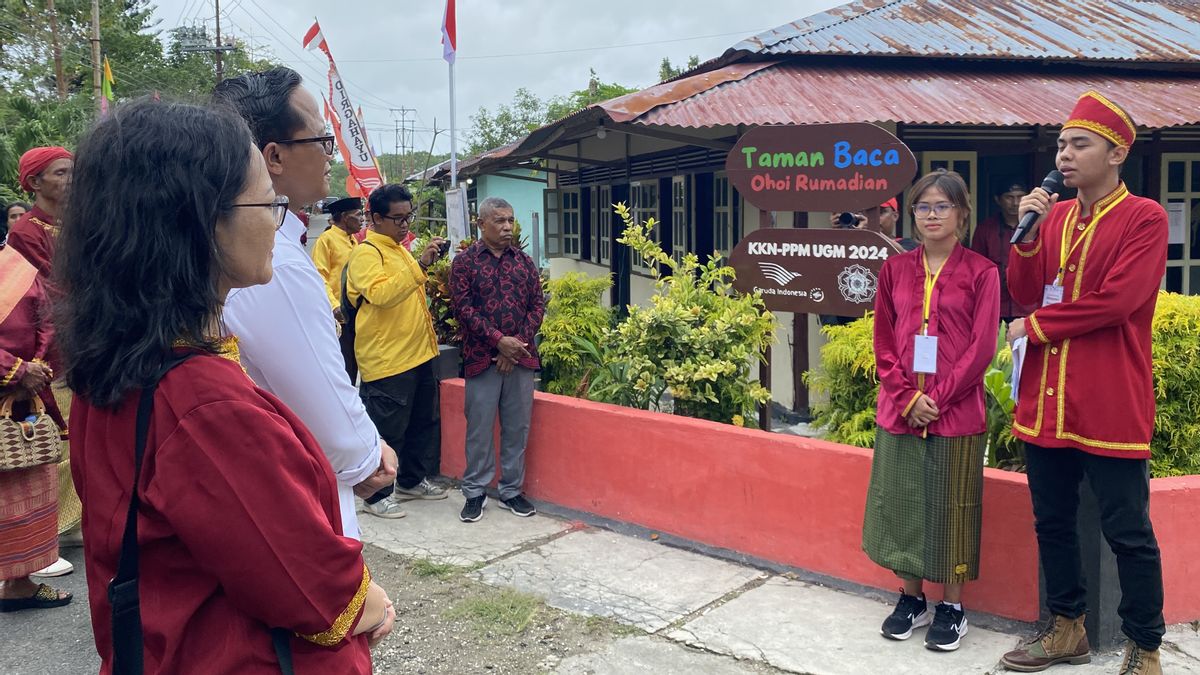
[(46, 174)]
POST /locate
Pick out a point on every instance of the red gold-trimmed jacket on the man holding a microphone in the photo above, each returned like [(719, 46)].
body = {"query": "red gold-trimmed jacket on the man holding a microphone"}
[(1087, 381)]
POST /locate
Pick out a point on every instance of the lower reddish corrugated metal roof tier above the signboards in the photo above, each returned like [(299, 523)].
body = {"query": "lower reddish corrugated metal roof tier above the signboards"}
[(791, 93)]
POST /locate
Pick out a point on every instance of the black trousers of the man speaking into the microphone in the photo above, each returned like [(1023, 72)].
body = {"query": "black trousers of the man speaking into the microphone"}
[(1123, 491)]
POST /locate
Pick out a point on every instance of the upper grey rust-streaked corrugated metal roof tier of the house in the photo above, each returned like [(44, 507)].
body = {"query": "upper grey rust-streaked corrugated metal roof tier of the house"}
[(1103, 31)]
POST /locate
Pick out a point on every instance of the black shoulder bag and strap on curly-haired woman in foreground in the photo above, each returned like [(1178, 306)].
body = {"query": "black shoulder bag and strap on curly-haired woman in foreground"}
[(123, 590)]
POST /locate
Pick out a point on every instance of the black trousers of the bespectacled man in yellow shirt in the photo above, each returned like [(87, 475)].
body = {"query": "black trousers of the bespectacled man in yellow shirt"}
[(405, 410)]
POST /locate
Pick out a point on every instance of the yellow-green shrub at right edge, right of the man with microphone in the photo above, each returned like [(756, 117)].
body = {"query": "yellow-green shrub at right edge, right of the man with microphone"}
[(1175, 447)]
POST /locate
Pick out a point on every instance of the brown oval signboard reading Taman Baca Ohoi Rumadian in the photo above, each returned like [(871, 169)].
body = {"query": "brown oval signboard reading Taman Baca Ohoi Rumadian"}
[(824, 168)]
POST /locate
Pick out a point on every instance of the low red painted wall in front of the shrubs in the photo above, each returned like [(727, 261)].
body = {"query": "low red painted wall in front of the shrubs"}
[(790, 500)]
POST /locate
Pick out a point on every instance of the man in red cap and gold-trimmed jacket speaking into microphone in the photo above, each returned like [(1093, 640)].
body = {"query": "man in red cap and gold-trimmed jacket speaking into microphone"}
[(1087, 404)]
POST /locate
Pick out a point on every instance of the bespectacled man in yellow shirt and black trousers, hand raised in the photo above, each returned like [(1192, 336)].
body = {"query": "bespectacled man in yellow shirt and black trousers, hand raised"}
[(395, 347)]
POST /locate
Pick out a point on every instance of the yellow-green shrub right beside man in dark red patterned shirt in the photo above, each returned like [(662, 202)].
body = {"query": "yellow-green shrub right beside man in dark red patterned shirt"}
[(574, 312)]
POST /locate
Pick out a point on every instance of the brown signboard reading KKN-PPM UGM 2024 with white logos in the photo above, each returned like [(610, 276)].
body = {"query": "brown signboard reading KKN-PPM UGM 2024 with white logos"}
[(830, 272)]
